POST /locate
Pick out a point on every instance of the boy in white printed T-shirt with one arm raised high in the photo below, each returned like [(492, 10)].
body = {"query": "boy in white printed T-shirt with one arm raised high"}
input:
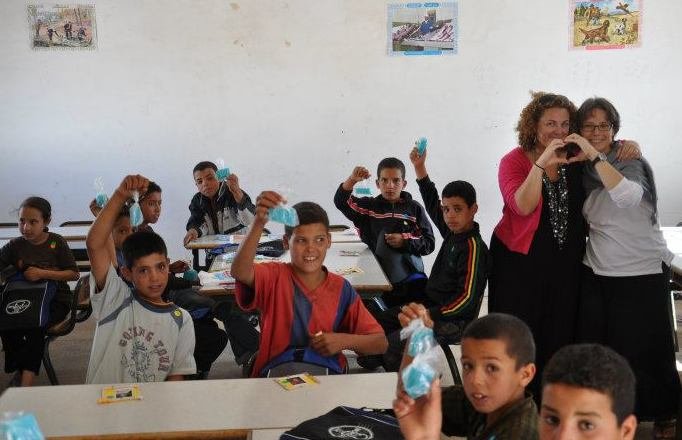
[(139, 337)]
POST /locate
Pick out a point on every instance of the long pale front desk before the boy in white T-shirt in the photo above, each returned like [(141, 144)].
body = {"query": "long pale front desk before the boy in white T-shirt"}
[(228, 408)]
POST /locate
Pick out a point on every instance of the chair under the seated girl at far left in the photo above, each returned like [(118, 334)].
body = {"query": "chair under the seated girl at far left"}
[(79, 311)]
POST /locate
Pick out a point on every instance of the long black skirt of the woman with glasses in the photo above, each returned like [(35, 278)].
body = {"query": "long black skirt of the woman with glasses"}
[(631, 315)]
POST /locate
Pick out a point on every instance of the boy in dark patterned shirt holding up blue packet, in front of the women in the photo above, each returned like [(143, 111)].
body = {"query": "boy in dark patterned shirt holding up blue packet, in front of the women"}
[(498, 352)]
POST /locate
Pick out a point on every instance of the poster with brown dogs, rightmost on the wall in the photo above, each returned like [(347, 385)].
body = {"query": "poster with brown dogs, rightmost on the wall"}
[(605, 24)]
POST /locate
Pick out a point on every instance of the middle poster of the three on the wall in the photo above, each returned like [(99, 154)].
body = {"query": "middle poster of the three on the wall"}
[(422, 28)]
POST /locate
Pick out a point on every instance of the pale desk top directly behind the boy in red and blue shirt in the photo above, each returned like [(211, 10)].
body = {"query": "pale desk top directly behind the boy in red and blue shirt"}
[(342, 259)]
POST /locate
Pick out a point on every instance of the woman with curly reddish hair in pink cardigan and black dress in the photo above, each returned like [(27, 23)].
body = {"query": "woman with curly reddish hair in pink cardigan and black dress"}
[(538, 245)]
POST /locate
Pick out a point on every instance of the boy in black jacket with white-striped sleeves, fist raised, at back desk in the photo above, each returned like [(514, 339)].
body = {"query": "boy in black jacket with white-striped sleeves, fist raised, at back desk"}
[(393, 226)]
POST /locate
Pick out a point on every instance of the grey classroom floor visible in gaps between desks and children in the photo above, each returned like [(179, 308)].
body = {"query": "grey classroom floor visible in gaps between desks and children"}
[(70, 356)]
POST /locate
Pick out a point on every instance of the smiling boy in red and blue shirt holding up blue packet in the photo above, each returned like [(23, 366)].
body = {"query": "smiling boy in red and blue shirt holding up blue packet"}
[(308, 315)]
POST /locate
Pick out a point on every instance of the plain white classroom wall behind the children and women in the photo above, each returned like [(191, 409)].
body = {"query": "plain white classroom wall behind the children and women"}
[(293, 94)]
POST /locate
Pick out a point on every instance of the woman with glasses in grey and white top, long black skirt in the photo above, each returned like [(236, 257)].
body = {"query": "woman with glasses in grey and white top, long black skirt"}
[(625, 293)]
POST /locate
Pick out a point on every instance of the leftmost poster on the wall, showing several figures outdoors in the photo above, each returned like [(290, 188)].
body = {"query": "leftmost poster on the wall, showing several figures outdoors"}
[(62, 26)]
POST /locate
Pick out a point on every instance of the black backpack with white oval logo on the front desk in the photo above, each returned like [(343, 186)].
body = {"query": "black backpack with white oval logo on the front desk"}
[(347, 423)]
